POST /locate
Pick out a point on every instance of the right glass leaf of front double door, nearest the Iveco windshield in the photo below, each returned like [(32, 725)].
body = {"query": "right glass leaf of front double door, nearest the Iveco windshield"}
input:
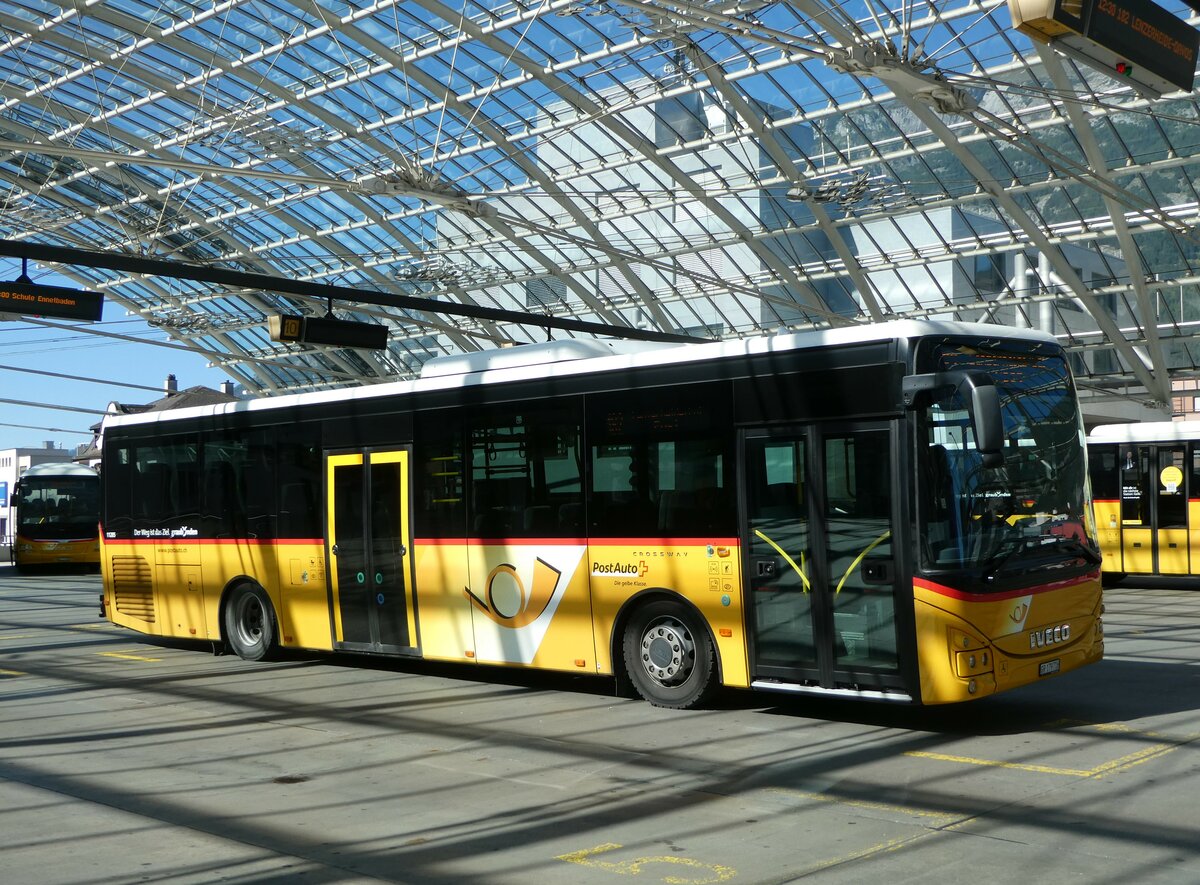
[(859, 519)]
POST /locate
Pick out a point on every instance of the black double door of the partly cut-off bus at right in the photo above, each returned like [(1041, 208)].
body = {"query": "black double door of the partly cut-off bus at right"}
[(1154, 509)]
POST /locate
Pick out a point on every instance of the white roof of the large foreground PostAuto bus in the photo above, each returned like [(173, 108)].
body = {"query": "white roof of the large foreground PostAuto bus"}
[(497, 368)]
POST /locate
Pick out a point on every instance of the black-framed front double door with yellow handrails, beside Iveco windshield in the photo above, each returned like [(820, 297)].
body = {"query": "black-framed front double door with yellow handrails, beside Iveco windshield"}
[(821, 575)]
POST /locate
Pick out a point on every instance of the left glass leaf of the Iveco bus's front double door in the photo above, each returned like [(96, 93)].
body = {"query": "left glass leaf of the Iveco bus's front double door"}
[(781, 555)]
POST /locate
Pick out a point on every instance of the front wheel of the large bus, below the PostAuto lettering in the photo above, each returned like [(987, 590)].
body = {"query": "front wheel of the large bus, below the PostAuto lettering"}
[(669, 655)]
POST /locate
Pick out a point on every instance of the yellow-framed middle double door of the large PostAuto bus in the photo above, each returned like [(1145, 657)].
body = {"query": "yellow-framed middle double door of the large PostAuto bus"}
[(369, 540)]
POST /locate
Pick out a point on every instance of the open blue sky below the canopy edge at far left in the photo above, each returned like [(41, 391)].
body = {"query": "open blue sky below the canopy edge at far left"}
[(74, 350)]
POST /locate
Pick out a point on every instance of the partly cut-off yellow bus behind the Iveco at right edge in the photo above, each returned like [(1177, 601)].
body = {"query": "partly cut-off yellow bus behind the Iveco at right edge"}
[(1147, 486)]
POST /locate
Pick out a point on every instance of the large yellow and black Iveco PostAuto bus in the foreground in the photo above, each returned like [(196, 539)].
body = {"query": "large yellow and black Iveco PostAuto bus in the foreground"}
[(896, 513)]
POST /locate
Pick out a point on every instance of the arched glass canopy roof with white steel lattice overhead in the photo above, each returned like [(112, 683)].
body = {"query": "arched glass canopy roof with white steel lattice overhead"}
[(704, 170)]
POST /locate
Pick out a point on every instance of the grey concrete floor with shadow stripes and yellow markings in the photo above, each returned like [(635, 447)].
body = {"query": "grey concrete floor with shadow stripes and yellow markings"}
[(124, 761)]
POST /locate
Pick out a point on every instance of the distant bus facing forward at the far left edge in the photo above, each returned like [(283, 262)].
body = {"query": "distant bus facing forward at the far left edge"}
[(56, 517)]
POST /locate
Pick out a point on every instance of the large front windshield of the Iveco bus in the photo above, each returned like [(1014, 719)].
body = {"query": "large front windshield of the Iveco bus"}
[(999, 526)]
